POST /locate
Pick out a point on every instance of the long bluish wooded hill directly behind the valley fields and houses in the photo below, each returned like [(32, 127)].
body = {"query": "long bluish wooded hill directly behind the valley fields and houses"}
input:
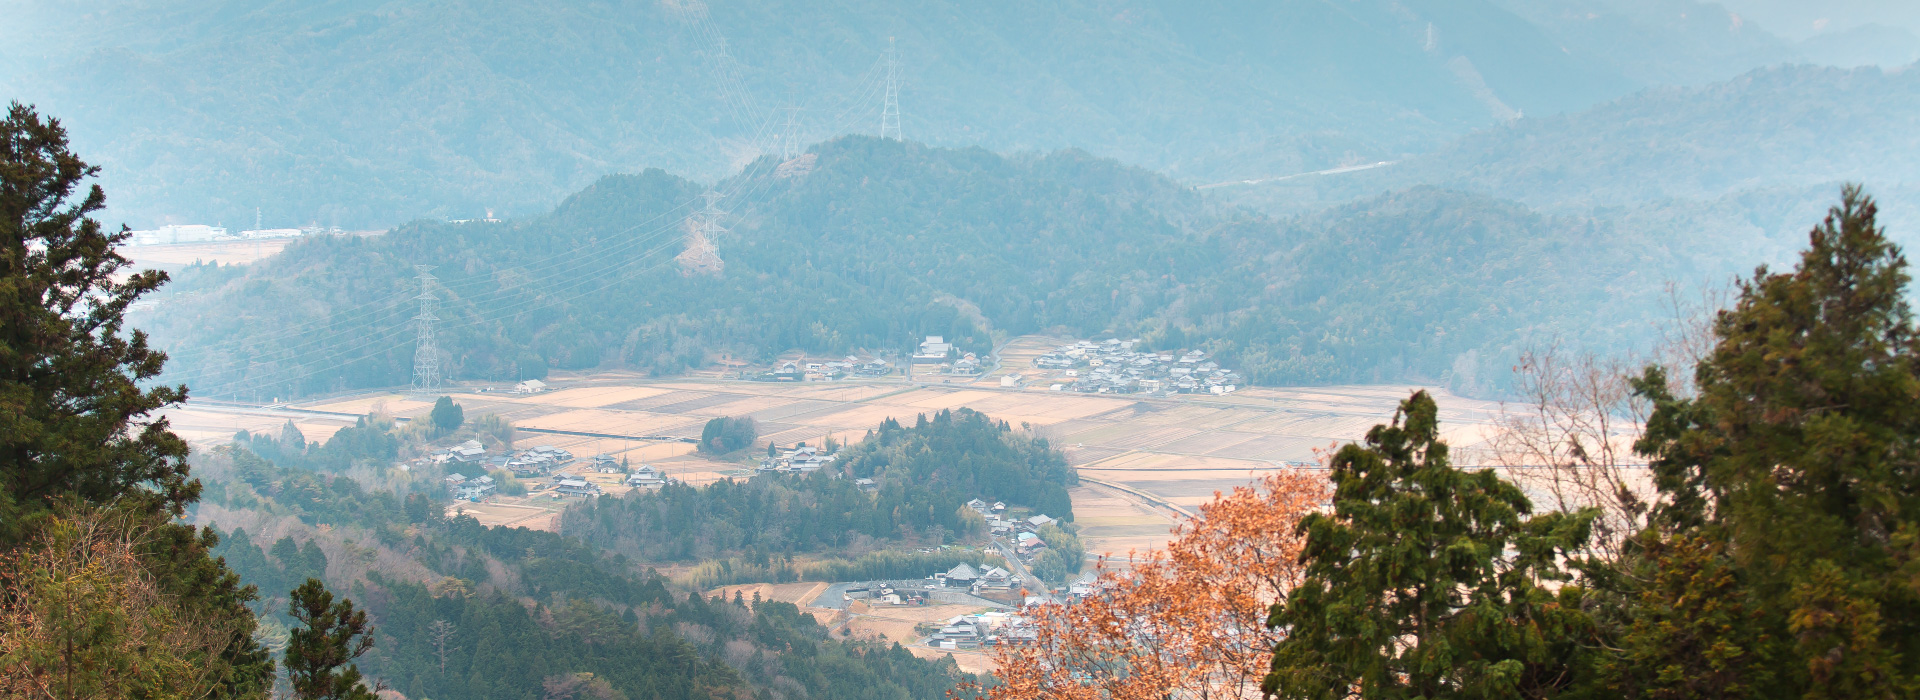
[(869, 245)]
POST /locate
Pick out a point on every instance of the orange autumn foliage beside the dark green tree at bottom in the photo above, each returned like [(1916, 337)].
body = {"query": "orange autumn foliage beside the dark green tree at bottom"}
[(1186, 622)]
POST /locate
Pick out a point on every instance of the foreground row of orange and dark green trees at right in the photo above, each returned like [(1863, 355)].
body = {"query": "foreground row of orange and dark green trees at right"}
[(1769, 553)]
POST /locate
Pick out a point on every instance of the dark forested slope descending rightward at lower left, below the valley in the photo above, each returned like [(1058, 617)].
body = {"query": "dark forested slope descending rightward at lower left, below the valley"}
[(492, 613)]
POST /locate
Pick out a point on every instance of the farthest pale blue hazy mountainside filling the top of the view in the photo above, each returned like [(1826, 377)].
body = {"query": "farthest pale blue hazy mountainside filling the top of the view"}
[(375, 112)]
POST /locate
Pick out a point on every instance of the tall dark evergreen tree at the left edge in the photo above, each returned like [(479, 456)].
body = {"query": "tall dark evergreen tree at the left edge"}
[(76, 425)]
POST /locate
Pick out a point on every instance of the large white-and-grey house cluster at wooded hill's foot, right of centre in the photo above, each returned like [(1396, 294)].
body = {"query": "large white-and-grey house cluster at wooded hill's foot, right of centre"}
[(1116, 367)]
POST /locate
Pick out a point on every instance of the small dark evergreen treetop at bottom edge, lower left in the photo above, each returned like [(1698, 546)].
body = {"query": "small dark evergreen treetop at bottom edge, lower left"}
[(322, 651)]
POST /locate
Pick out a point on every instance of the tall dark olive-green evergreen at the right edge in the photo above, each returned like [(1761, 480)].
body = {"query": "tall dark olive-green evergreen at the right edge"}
[(1788, 482)]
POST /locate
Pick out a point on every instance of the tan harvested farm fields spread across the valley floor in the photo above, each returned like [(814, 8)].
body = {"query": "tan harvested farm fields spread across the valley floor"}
[(1143, 461)]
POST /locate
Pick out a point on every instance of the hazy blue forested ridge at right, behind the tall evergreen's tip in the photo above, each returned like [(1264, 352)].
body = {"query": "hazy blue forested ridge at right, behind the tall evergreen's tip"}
[(1785, 135)]
